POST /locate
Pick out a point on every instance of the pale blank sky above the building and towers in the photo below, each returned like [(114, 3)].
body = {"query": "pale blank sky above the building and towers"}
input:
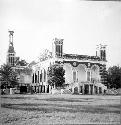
[(82, 25)]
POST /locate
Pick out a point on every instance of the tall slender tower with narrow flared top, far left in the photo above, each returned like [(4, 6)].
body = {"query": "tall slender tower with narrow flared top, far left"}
[(11, 53)]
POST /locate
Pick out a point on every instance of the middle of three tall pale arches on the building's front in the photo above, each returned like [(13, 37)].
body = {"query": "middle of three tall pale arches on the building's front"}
[(82, 69)]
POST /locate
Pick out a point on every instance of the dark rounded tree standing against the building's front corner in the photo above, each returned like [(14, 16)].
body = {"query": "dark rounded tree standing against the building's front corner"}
[(56, 76)]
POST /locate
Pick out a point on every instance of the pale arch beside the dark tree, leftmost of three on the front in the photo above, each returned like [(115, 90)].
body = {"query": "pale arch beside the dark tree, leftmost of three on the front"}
[(68, 73)]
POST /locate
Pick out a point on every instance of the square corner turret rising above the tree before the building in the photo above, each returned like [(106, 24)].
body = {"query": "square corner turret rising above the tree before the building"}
[(57, 50)]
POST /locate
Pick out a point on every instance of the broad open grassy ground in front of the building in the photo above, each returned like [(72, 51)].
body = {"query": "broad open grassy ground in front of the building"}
[(42, 109)]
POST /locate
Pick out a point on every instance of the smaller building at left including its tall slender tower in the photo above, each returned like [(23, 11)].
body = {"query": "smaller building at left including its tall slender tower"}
[(24, 74)]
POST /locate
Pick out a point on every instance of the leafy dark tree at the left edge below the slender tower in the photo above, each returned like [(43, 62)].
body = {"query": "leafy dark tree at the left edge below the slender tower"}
[(8, 76)]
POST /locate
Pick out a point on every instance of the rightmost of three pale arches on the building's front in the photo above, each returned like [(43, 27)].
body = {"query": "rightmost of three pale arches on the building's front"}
[(95, 73)]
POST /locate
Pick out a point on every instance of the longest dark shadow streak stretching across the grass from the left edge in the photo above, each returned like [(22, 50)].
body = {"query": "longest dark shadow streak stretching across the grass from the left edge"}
[(49, 108)]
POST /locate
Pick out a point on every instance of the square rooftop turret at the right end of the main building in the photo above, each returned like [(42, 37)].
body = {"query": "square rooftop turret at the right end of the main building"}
[(101, 52)]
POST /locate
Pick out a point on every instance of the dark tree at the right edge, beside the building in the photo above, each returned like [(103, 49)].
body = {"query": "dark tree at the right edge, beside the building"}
[(114, 77)]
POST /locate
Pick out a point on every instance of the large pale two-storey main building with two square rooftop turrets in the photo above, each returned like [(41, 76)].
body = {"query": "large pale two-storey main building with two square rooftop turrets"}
[(83, 74)]
